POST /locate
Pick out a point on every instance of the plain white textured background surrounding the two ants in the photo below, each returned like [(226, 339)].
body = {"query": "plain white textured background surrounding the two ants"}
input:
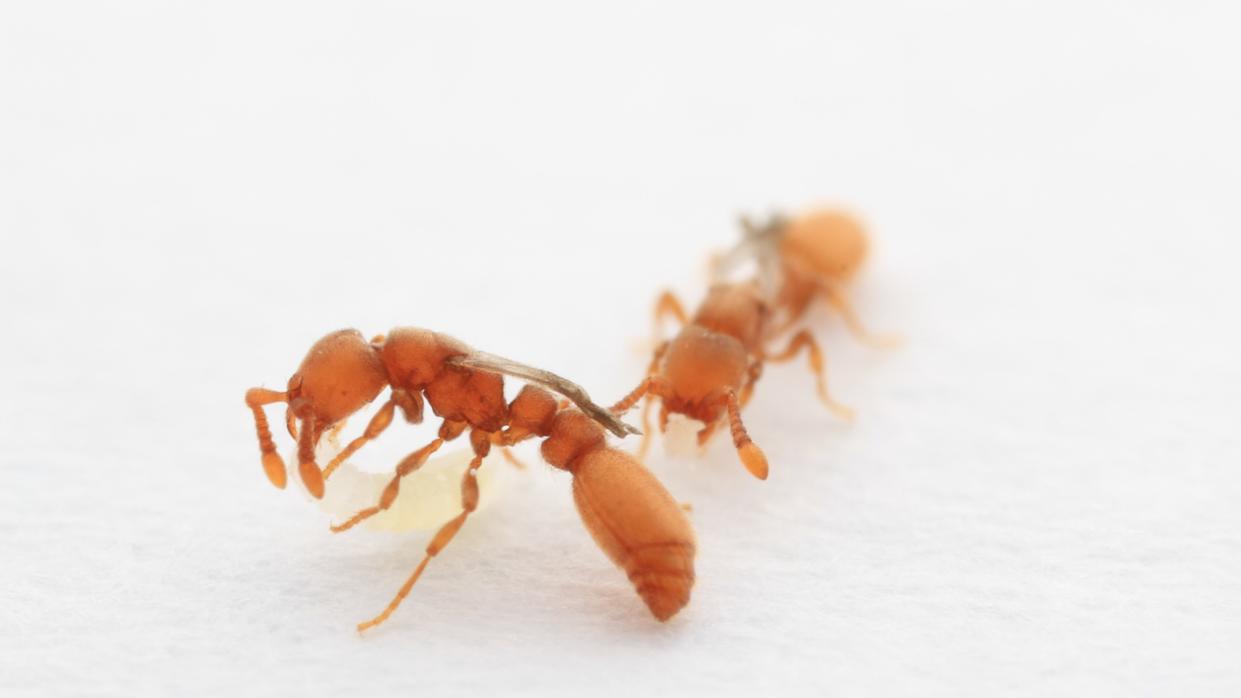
[(1041, 495)]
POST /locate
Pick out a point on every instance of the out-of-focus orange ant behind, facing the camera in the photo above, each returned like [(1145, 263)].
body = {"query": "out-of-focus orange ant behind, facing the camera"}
[(709, 371)]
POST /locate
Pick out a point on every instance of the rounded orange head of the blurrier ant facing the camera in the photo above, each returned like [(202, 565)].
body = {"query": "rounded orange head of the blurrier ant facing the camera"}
[(702, 362)]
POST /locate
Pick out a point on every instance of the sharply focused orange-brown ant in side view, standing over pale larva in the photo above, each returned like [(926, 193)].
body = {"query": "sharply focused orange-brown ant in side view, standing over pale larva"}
[(627, 511)]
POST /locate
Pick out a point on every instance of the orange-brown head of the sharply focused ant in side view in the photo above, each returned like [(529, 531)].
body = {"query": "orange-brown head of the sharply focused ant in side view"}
[(341, 374)]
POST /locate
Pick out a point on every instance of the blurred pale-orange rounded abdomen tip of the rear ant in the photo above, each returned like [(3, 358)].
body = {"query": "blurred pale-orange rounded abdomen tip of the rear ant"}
[(832, 244)]
